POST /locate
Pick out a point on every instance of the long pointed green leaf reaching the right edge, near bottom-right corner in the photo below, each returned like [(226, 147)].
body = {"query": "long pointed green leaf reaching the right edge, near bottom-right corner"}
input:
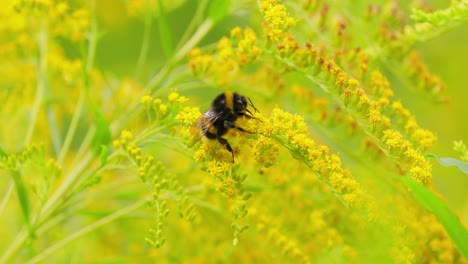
[(447, 218)]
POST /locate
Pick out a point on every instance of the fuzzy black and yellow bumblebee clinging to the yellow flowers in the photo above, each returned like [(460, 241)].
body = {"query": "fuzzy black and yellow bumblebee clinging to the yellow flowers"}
[(225, 109)]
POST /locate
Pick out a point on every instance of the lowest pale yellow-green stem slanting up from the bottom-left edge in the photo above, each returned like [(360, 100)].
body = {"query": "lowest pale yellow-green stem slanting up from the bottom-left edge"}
[(103, 221)]
